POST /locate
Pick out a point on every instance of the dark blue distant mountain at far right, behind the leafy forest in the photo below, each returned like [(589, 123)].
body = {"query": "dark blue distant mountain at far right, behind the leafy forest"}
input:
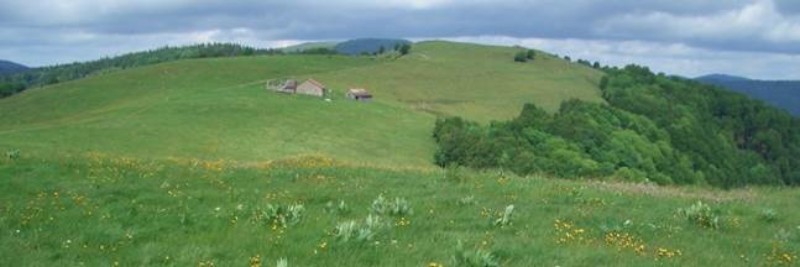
[(783, 94)]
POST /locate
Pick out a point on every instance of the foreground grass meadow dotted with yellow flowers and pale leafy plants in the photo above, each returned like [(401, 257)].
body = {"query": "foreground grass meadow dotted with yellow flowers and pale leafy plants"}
[(107, 211)]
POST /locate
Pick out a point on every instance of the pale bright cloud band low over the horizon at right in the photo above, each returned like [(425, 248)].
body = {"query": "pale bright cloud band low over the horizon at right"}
[(670, 58)]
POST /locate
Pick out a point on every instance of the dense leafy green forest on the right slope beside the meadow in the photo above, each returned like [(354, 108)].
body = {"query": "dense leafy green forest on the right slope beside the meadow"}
[(654, 128)]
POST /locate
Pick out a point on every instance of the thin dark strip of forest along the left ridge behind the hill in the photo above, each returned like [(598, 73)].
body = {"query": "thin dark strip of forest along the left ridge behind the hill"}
[(15, 83)]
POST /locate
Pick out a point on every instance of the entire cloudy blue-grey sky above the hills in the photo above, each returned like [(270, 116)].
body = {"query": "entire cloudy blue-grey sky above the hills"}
[(753, 38)]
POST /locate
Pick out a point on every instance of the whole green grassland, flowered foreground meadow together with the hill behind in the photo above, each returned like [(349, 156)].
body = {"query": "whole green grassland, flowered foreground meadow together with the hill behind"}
[(194, 163)]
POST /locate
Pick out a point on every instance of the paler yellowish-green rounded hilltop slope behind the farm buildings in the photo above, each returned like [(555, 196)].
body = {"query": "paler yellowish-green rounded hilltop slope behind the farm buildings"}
[(479, 82)]
